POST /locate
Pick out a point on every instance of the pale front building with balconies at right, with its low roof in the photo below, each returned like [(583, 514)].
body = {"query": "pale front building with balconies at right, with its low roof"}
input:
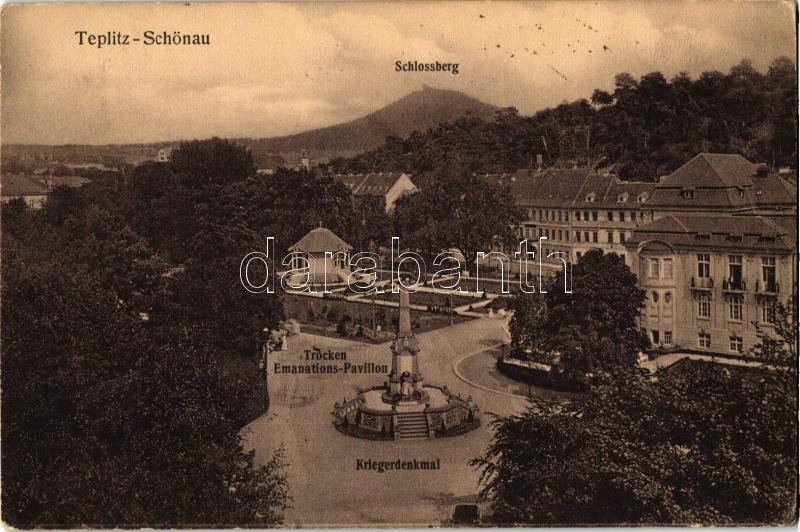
[(708, 278)]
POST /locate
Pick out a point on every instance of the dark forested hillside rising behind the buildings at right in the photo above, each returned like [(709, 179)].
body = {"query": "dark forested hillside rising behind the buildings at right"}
[(645, 128)]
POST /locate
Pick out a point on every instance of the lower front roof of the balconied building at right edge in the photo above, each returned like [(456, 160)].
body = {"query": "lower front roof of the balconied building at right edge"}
[(722, 231)]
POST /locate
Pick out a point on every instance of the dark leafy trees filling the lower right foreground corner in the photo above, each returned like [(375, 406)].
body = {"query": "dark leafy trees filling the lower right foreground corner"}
[(698, 444)]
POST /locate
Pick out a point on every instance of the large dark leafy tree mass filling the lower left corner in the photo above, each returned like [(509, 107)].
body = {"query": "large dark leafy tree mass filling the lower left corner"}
[(109, 420)]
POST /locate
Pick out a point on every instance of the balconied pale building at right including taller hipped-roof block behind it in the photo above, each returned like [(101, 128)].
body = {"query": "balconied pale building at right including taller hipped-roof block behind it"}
[(722, 249)]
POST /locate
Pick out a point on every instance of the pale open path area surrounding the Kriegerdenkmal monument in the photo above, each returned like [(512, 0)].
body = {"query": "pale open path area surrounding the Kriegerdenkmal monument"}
[(326, 487)]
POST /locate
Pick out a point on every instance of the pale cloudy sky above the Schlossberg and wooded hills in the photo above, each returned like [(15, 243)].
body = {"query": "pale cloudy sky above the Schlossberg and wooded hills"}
[(277, 68)]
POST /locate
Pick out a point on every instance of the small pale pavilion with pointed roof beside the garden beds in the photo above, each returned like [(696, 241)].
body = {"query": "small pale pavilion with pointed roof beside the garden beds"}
[(321, 268)]
